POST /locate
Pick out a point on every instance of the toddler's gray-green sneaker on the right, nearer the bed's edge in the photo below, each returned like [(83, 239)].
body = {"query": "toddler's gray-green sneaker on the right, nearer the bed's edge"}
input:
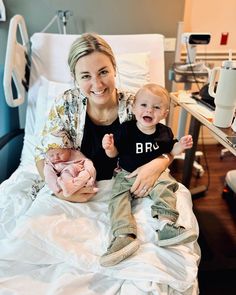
[(175, 235)]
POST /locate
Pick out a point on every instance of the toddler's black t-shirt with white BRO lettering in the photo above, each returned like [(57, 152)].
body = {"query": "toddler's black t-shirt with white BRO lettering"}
[(136, 148)]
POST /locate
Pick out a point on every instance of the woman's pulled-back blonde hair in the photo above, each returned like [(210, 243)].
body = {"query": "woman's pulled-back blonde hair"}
[(86, 44)]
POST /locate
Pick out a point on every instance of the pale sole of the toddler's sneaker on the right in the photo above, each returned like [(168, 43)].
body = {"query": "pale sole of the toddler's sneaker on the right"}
[(186, 237)]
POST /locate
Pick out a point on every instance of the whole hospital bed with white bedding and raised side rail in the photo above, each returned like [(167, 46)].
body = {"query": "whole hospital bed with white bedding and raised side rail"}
[(49, 246)]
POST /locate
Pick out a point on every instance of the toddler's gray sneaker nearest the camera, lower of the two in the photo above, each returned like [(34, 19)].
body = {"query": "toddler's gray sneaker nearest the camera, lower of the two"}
[(119, 249)]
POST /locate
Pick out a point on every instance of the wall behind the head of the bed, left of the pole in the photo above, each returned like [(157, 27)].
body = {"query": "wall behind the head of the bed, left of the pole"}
[(103, 17)]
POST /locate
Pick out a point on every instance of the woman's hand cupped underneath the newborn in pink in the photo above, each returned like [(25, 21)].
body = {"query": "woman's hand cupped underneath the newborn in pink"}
[(81, 196)]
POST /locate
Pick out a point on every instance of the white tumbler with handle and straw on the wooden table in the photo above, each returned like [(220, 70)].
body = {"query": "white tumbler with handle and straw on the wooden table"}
[(225, 94)]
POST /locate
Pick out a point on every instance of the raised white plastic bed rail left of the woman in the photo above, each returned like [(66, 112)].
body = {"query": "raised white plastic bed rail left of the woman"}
[(17, 62)]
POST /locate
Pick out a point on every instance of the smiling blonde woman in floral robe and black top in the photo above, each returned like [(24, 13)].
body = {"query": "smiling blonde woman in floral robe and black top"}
[(92, 109)]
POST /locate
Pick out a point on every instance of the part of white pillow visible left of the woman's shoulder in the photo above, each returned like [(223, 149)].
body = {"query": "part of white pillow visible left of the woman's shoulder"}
[(47, 92)]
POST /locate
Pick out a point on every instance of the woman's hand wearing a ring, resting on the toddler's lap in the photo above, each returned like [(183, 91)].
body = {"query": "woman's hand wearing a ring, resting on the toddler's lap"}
[(147, 175)]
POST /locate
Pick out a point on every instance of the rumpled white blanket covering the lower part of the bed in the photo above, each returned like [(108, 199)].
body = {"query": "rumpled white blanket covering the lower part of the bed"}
[(50, 246)]
